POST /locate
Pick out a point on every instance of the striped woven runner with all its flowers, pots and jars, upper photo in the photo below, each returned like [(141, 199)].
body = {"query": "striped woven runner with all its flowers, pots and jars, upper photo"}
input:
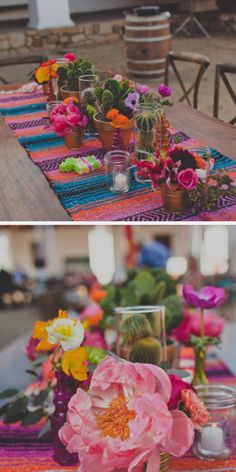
[(109, 151)]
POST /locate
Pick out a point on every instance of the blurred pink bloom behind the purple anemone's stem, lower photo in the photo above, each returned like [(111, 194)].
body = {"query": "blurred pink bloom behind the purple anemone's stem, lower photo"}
[(190, 325)]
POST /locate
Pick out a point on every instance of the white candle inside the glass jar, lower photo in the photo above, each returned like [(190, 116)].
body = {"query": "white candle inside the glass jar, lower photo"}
[(212, 439)]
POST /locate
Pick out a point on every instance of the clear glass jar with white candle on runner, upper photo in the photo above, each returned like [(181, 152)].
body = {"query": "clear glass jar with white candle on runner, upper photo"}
[(117, 171)]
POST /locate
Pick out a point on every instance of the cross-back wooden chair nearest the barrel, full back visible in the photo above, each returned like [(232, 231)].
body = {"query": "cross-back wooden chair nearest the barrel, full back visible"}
[(192, 58)]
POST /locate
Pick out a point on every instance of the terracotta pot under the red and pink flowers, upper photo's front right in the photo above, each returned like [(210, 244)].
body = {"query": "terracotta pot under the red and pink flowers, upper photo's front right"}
[(174, 199)]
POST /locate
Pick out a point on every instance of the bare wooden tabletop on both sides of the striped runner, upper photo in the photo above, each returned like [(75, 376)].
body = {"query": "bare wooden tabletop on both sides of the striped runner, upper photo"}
[(25, 194)]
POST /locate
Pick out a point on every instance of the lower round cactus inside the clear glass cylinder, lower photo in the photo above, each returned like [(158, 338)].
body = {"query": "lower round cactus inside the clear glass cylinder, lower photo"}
[(147, 350)]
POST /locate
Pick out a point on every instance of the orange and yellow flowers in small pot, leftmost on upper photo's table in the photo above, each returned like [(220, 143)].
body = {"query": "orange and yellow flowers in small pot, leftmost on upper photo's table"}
[(44, 76)]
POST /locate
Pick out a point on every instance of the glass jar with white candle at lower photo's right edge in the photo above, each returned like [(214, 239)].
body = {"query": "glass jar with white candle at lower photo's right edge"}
[(216, 439)]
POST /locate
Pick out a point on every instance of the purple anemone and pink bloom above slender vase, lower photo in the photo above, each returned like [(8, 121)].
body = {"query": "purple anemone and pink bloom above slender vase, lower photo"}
[(202, 328)]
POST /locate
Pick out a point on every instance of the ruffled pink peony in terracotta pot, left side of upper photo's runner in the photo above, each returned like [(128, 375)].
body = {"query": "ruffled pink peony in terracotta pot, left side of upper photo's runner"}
[(68, 120)]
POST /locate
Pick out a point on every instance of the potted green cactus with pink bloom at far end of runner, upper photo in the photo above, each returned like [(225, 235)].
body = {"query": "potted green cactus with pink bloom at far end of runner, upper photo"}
[(69, 73)]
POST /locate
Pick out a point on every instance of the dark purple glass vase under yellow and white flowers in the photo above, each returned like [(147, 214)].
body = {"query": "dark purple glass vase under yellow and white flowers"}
[(64, 390)]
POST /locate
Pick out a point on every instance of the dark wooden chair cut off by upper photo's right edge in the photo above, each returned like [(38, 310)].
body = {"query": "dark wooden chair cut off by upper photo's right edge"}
[(221, 71)]
